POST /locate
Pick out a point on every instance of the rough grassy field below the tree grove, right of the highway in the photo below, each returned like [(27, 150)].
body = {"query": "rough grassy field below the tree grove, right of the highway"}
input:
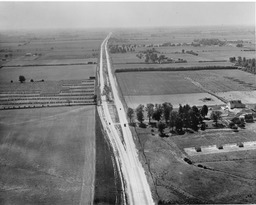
[(231, 182)]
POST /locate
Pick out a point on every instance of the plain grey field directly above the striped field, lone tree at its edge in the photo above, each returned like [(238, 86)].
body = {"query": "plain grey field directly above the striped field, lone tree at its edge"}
[(48, 73)]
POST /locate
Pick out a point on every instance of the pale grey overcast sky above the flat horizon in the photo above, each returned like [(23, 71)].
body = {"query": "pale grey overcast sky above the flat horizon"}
[(16, 15)]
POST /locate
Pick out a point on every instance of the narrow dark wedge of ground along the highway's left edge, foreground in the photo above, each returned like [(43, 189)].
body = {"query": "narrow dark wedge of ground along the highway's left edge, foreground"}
[(108, 188)]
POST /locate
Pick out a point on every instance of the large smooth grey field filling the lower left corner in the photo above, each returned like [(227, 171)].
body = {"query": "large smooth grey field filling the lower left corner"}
[(47, 156)]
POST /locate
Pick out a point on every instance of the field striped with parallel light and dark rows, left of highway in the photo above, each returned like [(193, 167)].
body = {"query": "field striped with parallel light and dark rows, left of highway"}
[(50, 93)]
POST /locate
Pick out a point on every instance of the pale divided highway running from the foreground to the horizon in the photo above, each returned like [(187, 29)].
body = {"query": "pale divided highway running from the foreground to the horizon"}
[(134, 182)]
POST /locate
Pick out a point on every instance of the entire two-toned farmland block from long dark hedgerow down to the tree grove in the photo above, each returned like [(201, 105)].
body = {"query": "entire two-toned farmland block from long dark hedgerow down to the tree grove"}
[(176, 87)]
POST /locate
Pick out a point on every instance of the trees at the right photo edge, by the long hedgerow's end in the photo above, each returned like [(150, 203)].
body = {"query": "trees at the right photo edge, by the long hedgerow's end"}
[(247, 64)]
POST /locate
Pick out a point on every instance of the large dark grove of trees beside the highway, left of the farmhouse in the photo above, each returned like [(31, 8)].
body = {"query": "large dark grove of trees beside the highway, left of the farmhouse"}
[(186, 117)]
